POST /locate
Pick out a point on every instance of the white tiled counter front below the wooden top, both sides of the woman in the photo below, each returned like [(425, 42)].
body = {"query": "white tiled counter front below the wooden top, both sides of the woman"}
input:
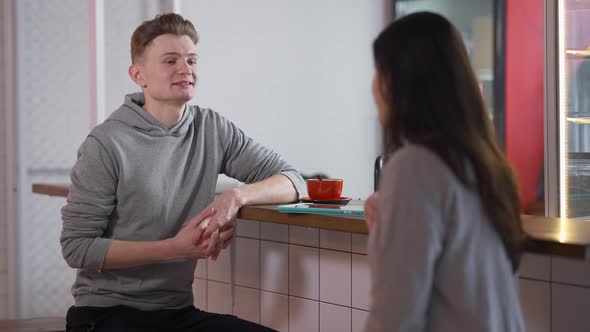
[(294, 278)]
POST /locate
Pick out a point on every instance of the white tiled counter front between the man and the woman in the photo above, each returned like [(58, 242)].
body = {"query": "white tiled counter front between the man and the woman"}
[(288, 277)]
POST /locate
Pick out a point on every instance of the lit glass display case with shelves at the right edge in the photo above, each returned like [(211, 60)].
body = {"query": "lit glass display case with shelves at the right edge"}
[(567, 110)]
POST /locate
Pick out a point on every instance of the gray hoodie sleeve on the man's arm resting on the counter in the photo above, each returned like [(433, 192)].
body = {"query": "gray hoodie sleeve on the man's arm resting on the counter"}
[(248, 161)]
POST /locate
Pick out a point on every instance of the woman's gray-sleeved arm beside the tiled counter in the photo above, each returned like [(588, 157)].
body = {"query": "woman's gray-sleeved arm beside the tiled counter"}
[(404, 244)]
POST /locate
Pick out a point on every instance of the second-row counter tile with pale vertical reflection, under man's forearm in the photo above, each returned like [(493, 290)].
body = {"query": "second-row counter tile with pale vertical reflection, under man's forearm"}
[(274, 267)]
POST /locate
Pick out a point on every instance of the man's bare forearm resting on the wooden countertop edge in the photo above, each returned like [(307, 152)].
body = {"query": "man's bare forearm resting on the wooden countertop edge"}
[(274, 190)]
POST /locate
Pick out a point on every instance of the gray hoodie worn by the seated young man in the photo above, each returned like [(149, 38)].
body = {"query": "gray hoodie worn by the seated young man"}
[(137, 180)]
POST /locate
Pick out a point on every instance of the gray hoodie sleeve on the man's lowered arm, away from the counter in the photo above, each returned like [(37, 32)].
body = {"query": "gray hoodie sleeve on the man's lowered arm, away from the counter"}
[(89, 203)]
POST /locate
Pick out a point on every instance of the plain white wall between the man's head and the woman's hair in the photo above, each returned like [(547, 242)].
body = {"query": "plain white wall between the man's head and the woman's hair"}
[(295, 75)]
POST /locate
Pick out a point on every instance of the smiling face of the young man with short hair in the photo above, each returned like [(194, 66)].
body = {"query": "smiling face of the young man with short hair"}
[(167, 70)]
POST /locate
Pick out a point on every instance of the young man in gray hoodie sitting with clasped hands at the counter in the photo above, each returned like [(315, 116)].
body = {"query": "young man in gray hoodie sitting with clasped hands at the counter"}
[(142, 206)]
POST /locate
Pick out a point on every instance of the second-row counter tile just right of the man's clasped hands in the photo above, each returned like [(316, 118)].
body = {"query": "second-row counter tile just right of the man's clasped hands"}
[(248, 262)]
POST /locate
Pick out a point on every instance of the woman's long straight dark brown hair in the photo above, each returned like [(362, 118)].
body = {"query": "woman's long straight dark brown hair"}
[(434, 100)]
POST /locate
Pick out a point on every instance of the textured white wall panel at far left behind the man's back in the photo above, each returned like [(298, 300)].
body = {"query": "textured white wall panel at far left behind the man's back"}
[(53, 120)]
